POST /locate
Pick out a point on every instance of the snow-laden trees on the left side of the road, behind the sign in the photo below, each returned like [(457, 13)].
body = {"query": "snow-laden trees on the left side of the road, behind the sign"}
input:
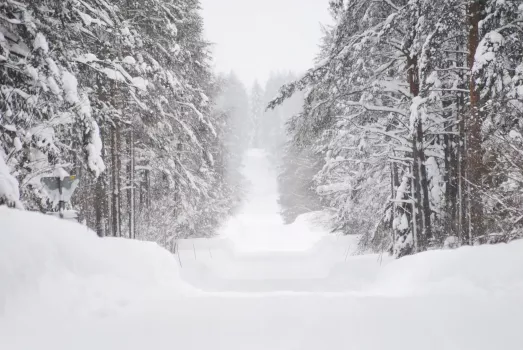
[(121, 94)]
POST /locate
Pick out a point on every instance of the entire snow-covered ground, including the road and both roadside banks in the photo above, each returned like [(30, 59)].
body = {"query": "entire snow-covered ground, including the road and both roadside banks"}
[(260, 285)]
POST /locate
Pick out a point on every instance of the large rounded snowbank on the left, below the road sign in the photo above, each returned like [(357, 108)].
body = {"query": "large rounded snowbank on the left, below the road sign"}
[(45, 261)]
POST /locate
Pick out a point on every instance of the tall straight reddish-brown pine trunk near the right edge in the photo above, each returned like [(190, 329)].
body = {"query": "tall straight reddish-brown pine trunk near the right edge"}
[(474, 152)]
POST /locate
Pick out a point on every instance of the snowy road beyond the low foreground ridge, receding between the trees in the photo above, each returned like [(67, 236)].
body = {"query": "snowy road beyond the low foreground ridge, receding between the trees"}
[(256, 252)]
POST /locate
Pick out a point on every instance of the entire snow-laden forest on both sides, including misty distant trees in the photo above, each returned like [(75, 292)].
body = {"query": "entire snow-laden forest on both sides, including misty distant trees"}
[(408, 127)]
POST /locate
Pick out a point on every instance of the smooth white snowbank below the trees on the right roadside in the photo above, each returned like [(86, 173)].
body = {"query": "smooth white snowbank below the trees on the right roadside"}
[(487, 270)]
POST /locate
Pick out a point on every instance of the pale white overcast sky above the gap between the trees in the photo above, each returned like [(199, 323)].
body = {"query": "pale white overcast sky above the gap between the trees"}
[(255, 37)]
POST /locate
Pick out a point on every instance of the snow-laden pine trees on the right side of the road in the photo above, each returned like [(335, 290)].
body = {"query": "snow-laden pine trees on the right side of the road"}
[(414, 111)]
